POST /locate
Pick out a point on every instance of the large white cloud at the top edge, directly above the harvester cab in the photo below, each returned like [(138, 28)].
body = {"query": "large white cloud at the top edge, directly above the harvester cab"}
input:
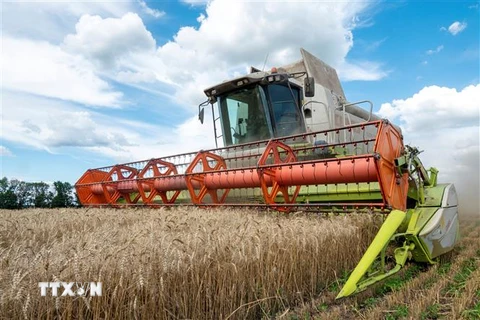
[(263, 28)]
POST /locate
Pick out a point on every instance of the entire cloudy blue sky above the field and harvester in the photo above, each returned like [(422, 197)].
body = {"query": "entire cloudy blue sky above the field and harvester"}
[(87, 84)]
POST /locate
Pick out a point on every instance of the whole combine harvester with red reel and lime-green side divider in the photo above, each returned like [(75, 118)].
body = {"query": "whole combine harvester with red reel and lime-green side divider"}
[(291, 141)]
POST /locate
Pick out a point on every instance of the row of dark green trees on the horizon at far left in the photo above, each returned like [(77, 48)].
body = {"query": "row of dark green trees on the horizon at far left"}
[(16, 194)]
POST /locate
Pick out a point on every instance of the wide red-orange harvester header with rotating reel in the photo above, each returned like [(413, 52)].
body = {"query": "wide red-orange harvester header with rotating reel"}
[(278, 169)]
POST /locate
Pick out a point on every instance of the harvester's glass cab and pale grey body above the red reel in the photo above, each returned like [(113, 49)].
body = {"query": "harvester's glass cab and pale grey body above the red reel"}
[(305, 96)]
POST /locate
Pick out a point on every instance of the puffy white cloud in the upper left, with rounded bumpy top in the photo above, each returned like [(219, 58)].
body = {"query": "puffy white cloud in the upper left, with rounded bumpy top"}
[(106, 40)]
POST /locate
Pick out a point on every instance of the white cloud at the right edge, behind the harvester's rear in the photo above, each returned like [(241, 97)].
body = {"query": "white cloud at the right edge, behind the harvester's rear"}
[(445, 123)]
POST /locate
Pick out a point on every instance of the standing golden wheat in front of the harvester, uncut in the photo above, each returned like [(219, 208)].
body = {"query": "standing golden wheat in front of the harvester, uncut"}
[(182, 263)]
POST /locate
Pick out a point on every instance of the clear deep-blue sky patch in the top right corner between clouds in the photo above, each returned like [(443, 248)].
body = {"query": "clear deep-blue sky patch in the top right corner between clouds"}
[(404, 33)]
